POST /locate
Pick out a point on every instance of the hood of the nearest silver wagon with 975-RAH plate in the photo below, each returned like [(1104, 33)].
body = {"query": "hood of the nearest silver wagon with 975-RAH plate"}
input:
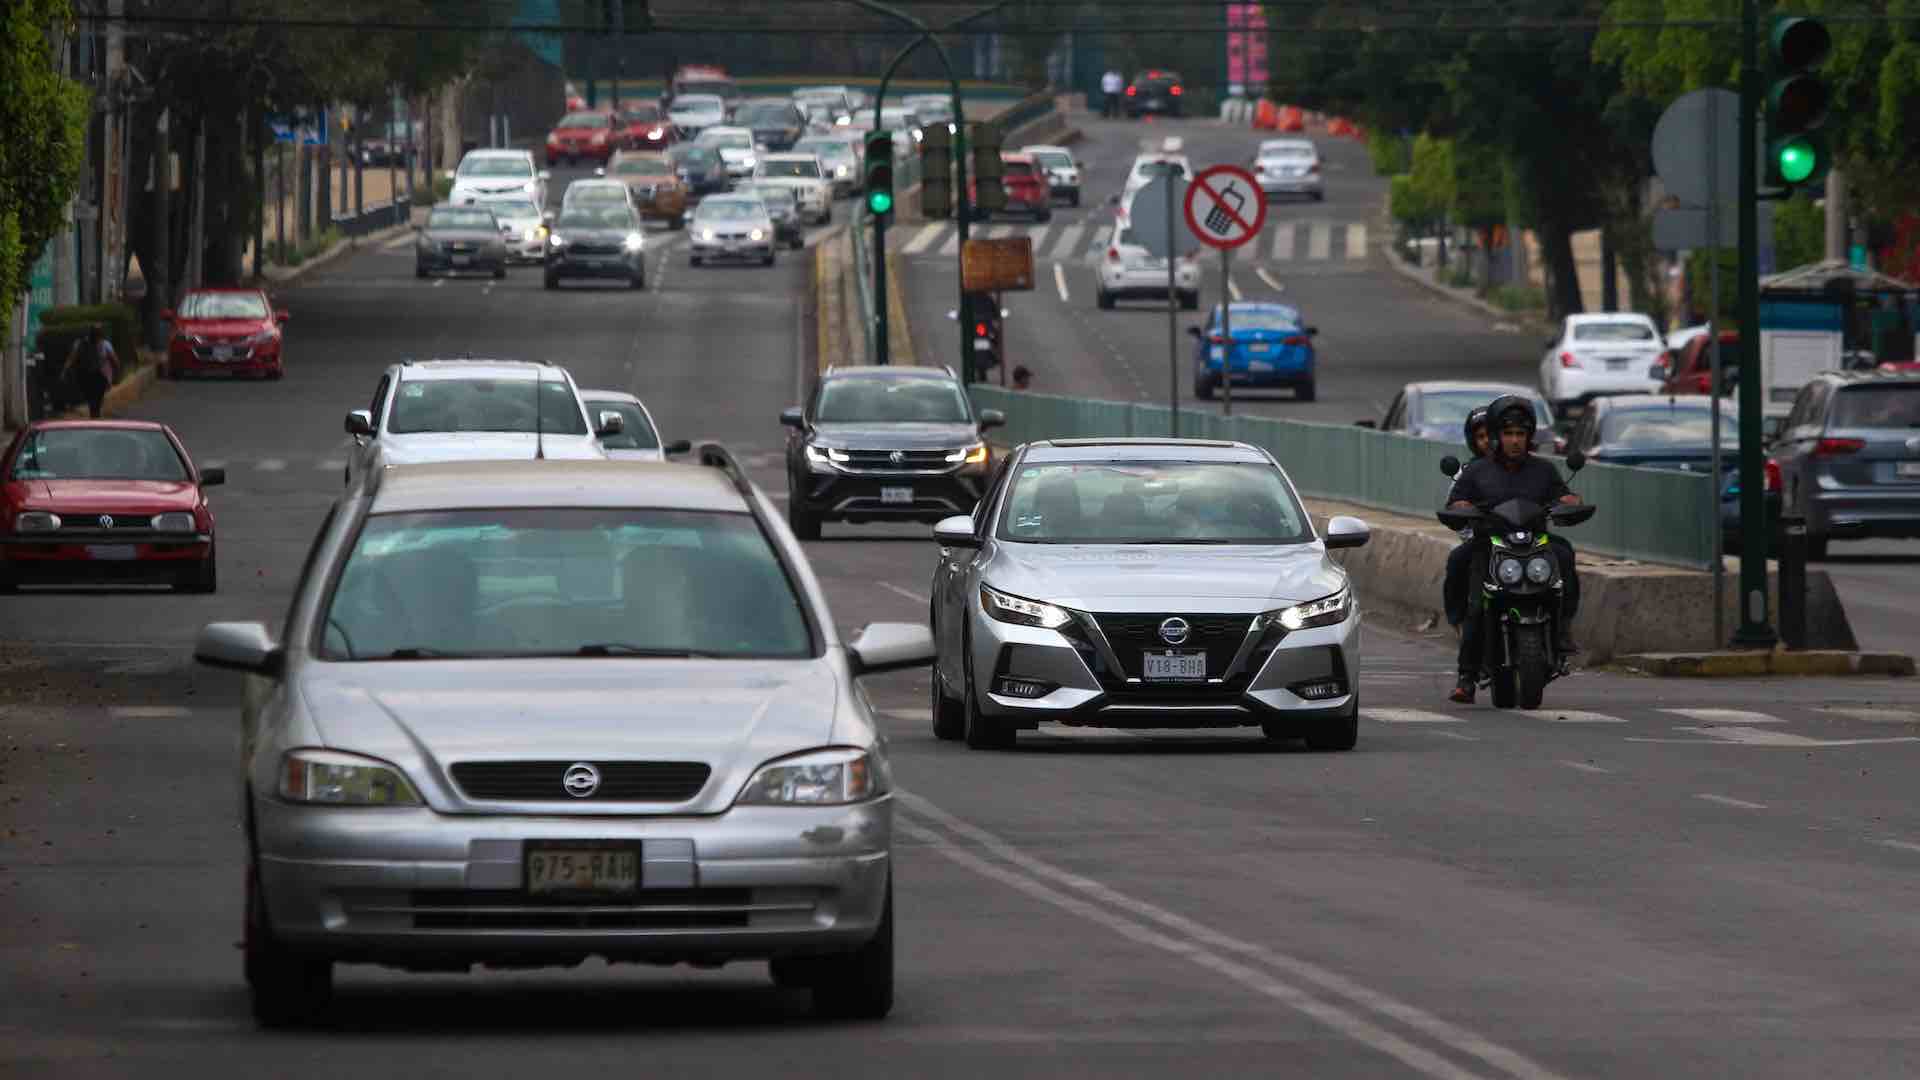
[(429, 716)]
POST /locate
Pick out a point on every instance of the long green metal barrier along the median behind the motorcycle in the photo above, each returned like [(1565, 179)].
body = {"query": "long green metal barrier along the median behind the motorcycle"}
[(1652, 516)]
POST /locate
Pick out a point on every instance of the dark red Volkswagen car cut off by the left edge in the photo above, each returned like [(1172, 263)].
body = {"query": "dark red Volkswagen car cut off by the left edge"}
[(89, 503)]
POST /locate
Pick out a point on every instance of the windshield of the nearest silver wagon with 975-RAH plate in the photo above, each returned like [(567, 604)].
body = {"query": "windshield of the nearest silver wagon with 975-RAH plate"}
[(514, 583)]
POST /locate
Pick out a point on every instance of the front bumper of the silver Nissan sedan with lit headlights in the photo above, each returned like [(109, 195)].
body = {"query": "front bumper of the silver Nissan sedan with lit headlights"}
[(1092, 679)]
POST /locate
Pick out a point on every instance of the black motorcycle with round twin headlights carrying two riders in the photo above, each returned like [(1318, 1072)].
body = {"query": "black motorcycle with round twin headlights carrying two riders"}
[(1522, 591)]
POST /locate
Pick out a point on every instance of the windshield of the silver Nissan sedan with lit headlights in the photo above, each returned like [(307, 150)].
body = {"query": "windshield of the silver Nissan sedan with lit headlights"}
[(1153, 503)]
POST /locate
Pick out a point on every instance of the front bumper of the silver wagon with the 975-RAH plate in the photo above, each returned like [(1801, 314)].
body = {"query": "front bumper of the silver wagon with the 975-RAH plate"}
[(414, 887)]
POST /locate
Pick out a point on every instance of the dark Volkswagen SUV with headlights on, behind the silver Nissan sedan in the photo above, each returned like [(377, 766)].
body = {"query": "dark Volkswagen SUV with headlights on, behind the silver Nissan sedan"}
[(886, 445)]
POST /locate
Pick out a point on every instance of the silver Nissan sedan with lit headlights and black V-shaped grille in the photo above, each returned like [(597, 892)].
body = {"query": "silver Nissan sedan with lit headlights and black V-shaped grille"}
[(1145, 583)]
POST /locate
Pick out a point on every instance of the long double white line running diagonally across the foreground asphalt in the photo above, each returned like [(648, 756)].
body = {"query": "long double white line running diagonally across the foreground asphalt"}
[(1197, 943)]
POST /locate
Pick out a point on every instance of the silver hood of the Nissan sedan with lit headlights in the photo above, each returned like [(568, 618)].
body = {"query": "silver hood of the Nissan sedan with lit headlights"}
[(1159, 577)]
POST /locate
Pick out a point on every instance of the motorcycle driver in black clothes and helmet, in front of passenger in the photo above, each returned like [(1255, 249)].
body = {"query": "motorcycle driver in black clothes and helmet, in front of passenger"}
[(1512, 472)]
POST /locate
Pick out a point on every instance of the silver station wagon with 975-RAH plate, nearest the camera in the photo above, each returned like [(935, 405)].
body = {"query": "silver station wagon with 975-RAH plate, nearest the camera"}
[(531, 712)]
